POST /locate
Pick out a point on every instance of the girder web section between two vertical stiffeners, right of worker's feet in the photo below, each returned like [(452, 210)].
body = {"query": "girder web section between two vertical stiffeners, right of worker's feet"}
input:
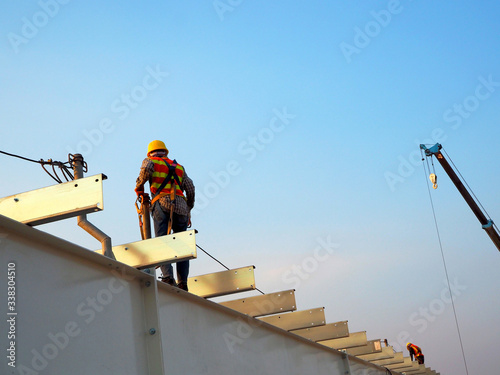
[(202, 337)]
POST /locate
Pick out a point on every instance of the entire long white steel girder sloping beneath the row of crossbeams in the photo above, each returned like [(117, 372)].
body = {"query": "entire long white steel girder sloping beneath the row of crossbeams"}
[(81, 313)]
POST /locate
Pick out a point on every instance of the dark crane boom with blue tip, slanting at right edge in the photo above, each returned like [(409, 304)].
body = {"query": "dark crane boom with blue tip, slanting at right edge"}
[(486, 223)]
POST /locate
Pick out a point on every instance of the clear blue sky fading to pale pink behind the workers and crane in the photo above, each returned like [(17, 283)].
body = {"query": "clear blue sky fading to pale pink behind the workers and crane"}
[(299, 122)]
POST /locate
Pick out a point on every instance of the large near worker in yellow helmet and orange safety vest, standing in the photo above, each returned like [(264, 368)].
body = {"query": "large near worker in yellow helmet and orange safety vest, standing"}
[(170, 208)]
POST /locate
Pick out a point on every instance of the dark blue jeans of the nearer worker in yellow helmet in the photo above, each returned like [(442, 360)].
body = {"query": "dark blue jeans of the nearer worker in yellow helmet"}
[(179, 224)]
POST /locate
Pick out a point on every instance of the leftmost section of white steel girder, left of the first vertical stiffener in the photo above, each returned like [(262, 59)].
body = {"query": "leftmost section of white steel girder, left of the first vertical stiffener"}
[(75, 315)]
